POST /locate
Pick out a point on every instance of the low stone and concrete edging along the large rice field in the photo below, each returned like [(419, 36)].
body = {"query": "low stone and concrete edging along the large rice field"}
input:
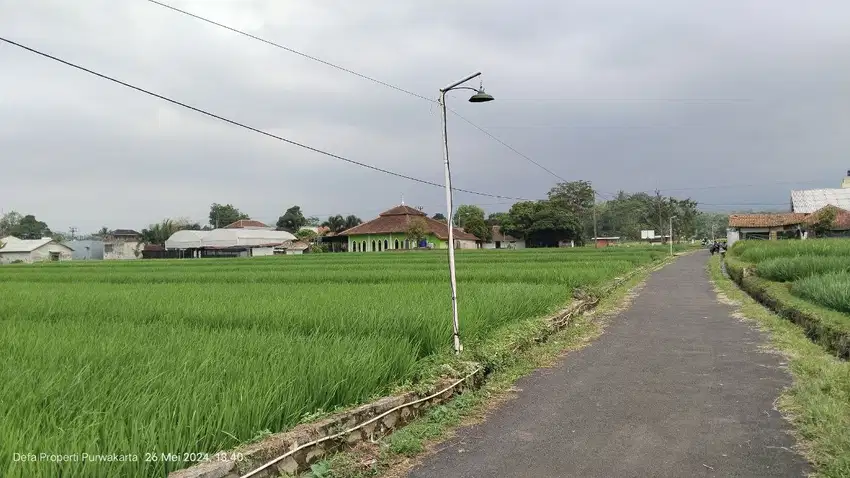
[(408, 406)]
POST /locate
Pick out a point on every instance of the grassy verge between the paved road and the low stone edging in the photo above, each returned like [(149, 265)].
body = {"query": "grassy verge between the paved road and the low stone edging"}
[(395, 454)]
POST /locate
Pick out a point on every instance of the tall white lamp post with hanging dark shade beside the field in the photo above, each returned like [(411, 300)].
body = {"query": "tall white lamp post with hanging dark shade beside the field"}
[(479, 97)]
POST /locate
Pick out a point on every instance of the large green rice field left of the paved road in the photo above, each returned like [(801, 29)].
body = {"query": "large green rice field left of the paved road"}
[(147, 359)]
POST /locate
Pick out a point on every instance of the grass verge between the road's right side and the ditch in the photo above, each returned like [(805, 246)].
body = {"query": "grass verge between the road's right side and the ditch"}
[(818, 402)]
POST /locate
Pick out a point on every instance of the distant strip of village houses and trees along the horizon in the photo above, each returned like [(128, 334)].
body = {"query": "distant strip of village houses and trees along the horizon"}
[(813, 213)]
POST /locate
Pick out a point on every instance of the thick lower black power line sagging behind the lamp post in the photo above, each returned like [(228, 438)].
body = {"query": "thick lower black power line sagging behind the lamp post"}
[(250, 128)]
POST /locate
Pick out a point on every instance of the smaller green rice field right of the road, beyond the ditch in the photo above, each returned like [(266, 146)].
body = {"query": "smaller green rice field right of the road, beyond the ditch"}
[(816, 270)]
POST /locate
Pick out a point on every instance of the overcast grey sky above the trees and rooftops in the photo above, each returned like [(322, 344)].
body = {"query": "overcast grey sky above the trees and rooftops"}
[(730, 103)]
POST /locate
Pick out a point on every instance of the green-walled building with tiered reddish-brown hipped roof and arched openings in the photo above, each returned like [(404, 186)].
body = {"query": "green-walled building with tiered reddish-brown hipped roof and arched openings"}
[(389, 232)]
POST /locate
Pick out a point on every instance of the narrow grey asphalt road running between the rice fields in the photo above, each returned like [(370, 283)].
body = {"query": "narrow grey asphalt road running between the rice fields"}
[(674, 387)]
